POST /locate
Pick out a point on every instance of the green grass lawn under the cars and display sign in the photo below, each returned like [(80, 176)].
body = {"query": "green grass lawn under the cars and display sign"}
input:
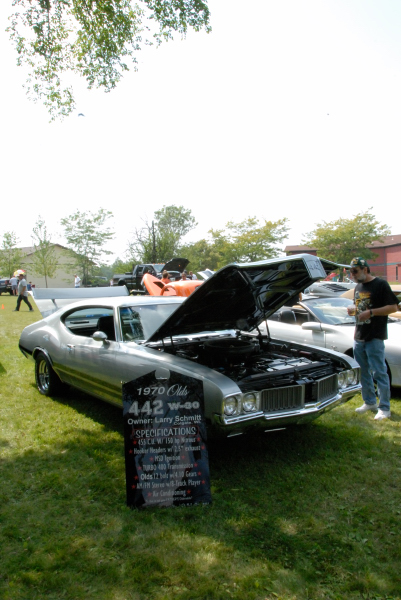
[(306, 513)]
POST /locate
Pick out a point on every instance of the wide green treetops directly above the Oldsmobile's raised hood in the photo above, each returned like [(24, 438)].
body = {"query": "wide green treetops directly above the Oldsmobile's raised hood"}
[(247, 241)]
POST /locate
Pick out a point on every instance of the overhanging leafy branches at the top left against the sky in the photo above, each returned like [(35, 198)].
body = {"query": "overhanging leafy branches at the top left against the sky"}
[(92, 38)]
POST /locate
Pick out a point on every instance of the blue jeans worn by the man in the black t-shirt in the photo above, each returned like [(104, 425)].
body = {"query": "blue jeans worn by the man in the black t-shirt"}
[(370, 356)]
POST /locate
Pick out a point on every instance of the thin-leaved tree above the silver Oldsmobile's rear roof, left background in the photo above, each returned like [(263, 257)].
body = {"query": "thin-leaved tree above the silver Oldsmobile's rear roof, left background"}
[(86, 234)]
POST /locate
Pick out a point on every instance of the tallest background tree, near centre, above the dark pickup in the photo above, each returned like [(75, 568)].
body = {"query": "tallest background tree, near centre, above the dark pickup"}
[(160, 240)]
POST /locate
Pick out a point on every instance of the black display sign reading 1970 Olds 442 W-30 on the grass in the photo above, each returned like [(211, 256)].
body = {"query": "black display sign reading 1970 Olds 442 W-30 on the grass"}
[(166, 459)]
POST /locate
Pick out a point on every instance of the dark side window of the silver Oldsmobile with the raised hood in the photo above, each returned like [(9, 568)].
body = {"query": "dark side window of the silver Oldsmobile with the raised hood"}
[(85, 321)]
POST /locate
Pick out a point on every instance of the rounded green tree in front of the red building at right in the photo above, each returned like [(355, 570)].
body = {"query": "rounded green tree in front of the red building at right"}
[(342, 239)]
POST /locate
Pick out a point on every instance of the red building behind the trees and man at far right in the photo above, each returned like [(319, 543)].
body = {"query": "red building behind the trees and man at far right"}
[(387, 263)]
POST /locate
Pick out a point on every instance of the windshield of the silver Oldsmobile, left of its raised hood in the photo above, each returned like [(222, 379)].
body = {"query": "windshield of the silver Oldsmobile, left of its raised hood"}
[(140, 322)]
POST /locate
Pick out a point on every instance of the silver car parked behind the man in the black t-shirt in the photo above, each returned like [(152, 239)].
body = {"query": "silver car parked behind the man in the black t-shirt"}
[(324, 322)]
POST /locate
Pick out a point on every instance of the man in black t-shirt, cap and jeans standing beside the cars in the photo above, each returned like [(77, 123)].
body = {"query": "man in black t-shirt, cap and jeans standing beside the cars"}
[(374, 300)]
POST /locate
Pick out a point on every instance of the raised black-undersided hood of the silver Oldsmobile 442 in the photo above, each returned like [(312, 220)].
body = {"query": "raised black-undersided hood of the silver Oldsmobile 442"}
[(241, 296)]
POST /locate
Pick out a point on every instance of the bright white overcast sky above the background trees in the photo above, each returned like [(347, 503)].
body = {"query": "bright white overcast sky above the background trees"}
[(287, 108)]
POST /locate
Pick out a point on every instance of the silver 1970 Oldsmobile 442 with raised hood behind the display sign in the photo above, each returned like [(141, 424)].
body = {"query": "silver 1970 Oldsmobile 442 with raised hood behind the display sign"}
[(250, 381)]
